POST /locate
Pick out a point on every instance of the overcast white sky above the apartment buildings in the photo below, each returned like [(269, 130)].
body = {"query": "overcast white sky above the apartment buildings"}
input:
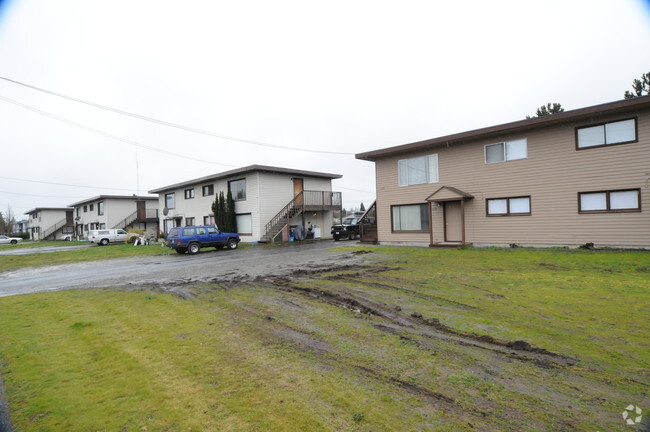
[(336, 76)]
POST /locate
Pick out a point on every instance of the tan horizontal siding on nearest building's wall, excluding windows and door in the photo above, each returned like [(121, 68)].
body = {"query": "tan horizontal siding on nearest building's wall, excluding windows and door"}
[(552, 176)]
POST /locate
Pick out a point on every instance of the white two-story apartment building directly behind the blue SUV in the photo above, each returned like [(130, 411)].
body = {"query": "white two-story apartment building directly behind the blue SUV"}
[(268, 200)]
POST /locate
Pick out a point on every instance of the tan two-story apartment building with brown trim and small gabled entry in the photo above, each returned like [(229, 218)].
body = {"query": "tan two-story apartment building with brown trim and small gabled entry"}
[(577, 177)]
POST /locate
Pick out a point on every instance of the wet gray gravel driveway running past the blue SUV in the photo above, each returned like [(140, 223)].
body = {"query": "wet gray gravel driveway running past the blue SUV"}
[(254, 261)]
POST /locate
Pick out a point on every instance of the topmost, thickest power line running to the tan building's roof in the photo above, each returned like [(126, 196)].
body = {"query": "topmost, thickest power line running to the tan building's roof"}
[(174, 125)]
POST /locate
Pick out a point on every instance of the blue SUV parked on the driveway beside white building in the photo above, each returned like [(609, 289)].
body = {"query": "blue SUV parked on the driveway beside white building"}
[(192, 238)]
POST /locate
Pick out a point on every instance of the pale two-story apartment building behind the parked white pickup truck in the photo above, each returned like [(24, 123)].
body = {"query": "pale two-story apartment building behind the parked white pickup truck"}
[(116, 211)]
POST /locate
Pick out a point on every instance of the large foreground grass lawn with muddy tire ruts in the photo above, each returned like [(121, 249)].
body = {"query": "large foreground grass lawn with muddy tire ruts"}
[(416, 340)]
